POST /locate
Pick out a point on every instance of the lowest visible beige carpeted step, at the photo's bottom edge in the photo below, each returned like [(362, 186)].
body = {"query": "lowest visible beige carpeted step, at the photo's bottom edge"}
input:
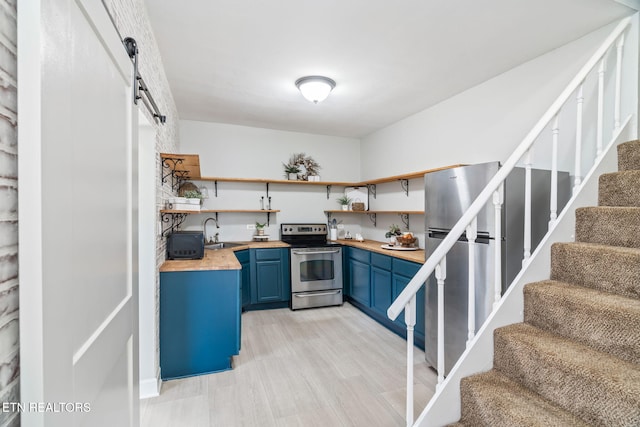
[(505, 402)]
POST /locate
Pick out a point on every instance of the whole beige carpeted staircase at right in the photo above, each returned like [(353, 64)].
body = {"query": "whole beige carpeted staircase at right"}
[(575, 361)]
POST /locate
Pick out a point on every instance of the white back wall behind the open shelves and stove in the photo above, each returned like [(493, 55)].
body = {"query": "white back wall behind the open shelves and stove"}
[(245, 152)]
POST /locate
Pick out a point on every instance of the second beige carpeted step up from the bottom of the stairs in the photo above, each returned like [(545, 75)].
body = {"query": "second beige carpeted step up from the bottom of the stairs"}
[(598, 387)]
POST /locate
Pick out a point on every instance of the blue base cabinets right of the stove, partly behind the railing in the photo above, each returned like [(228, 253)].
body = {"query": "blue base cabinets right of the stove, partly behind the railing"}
[(375, 280)]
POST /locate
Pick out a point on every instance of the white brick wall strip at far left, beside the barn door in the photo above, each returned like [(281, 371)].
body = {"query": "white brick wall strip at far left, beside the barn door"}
[(9, 337)]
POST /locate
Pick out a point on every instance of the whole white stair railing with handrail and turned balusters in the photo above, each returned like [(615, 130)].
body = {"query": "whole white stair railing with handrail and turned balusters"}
[(493, 193)]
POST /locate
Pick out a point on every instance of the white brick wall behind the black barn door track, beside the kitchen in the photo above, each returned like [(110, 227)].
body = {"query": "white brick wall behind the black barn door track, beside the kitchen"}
[(131, 20)]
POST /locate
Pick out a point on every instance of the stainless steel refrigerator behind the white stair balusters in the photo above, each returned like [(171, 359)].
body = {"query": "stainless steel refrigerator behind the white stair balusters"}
[(448, 194)]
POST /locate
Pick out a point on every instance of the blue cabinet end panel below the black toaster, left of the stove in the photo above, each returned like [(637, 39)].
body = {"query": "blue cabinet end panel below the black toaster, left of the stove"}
[(199, 321)]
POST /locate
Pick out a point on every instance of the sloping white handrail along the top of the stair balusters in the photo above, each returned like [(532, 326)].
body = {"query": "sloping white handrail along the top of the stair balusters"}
[(447, 243)]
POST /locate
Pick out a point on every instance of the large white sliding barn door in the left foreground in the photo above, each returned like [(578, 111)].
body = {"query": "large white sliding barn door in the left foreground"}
[(77, 171)]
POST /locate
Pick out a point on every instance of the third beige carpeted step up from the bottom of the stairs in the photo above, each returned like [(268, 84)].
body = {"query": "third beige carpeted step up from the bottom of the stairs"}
[(602, 320)]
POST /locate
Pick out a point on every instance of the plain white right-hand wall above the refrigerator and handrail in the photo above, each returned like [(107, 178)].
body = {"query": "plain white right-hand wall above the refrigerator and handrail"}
[(484, 123)]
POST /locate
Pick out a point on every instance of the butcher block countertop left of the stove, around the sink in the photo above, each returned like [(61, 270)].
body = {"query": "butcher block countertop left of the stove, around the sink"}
[(219, 259)]
